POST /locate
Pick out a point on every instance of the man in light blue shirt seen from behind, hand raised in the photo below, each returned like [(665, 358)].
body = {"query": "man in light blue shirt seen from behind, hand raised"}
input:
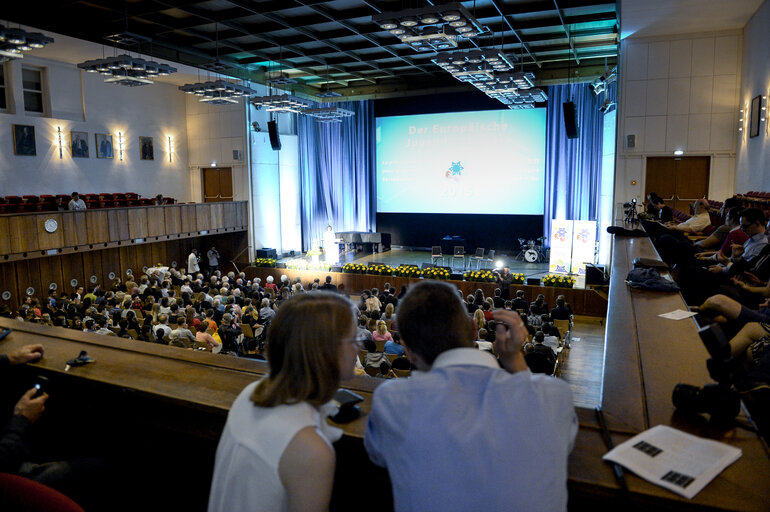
[(483, 458)]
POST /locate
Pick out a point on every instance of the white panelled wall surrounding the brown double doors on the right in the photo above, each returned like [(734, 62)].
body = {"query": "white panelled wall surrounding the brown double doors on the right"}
[(678, 92)]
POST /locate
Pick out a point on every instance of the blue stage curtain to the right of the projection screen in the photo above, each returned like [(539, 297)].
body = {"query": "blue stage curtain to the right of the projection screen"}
[(572, 166)]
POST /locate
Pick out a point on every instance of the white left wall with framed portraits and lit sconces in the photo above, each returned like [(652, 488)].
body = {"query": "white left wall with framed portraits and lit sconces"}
[(83, 102)]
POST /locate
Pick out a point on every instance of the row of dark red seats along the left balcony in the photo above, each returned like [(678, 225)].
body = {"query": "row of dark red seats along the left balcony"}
[(52, 203)]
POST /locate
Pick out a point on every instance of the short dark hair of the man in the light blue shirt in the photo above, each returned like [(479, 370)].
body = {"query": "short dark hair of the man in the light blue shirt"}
[(432, 320)]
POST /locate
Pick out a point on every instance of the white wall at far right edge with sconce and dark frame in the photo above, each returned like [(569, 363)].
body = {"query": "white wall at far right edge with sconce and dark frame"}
[(753, 165)]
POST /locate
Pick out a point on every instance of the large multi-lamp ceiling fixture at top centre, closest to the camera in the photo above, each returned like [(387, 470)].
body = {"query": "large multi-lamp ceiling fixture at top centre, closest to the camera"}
[(431, 28)]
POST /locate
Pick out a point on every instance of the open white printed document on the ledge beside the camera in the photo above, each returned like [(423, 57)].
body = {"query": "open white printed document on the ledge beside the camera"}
[(673, 459)]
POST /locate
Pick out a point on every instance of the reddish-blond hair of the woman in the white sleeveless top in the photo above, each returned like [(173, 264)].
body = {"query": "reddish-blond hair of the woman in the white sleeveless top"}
[(302, 350)]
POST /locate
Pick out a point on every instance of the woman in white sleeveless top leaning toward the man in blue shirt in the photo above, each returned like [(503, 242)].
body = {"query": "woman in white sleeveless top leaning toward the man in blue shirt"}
[(275, 453)]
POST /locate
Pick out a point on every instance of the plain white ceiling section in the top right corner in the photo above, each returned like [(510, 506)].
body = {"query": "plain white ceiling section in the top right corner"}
[(645, 18)]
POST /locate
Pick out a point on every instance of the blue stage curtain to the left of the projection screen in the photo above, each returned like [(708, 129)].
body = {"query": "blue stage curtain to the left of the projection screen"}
[(337, 173)]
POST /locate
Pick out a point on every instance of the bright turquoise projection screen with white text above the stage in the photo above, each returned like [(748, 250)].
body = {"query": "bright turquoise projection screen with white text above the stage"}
[(489, 162)]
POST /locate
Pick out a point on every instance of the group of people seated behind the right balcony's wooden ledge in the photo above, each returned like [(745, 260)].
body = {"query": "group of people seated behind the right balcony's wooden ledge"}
[(725, 276)]
